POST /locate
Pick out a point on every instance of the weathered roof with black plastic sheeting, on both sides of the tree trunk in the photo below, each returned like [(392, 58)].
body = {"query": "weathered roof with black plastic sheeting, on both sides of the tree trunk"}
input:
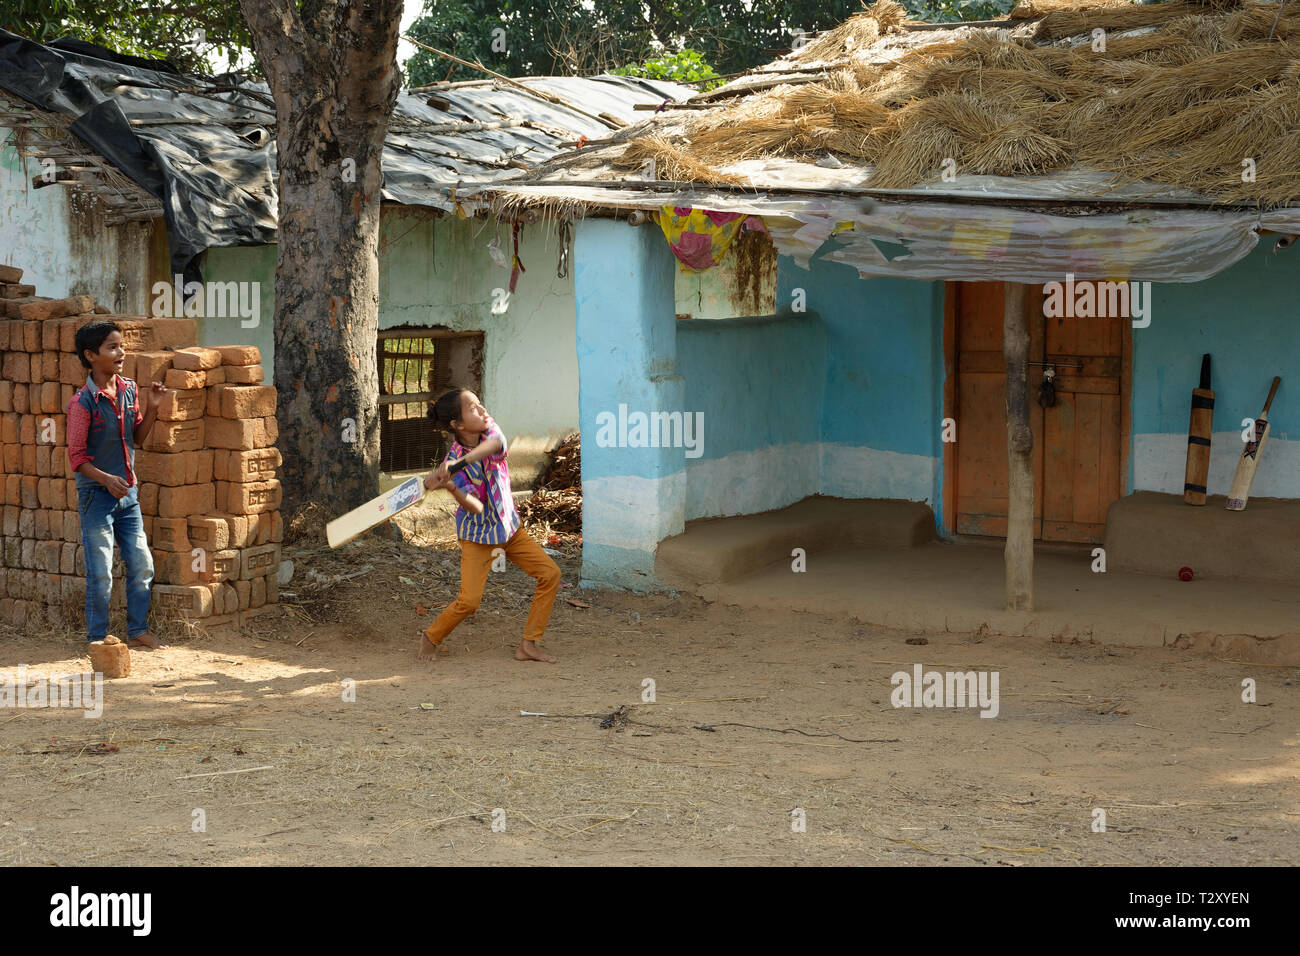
[(205, 148)]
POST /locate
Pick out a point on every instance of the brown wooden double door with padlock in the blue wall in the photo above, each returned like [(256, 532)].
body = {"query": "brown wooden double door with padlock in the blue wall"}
[(1077, 443)]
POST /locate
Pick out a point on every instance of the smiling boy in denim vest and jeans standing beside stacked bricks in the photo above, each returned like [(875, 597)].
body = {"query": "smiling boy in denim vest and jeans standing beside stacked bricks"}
[(106, 423)]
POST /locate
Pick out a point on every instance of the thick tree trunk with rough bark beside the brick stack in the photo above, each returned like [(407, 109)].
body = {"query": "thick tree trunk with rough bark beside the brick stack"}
[(332, 68)]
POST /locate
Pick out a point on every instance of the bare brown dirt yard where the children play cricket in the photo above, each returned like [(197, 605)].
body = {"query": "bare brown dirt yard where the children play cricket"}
[(413, 769)]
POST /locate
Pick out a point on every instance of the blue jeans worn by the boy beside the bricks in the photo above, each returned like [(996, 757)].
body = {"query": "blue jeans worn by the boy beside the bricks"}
[(106, 518)]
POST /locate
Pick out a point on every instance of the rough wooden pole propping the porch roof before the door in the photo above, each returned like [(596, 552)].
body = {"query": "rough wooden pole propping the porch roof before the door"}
[(1020, 453)]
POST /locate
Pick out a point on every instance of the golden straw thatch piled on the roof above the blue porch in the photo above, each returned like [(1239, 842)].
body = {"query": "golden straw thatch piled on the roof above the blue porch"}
[(1184, 94)]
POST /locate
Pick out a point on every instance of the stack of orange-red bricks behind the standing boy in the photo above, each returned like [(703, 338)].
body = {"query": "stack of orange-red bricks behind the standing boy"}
[(207, 473)]
